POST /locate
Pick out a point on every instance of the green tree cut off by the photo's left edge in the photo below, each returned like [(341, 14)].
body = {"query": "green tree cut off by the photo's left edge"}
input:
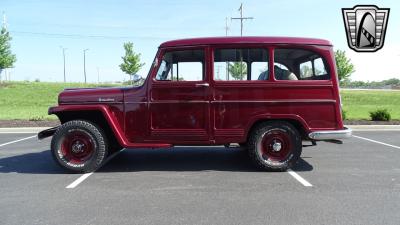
[(7, 59)]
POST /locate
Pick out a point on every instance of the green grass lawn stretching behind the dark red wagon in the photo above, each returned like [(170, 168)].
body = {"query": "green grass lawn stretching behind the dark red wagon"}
[(30, 100)]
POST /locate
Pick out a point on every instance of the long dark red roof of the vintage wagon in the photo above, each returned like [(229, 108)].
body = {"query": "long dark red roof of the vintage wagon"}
[(244, 40)]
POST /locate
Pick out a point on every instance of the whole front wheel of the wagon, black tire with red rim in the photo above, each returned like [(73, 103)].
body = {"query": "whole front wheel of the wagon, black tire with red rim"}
[(79, 146)]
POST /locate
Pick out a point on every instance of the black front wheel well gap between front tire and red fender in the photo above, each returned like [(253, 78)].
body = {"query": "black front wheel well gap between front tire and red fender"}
[(95, 117)]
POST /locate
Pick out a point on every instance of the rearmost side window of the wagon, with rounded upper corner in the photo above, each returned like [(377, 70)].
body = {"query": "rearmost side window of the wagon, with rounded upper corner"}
[(300, 64)]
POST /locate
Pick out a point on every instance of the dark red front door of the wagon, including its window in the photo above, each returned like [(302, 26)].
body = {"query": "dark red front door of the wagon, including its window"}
[(179, 99)]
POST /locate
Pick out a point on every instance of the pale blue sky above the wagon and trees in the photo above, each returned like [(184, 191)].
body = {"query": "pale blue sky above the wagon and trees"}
[(40, 28)]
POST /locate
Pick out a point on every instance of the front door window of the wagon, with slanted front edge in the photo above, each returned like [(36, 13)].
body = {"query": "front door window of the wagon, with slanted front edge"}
[(185, 65)]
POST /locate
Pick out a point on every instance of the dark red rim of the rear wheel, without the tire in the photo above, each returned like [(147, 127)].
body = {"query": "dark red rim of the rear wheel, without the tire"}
[(275, 145)]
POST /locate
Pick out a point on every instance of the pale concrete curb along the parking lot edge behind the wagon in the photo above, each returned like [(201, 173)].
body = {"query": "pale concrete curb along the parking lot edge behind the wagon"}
[(31, 130)]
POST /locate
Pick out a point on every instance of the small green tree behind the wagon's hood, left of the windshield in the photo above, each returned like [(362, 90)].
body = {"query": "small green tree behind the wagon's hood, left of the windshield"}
[(131, 60)]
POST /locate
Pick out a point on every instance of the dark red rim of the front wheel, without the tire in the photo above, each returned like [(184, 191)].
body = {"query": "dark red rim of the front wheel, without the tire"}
[(77, 147)]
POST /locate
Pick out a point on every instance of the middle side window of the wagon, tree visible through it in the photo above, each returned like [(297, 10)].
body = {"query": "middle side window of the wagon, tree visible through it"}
[(240, 64)]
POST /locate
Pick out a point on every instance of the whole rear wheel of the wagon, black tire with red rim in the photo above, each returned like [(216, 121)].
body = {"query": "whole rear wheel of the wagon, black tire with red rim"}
[(269, 158)]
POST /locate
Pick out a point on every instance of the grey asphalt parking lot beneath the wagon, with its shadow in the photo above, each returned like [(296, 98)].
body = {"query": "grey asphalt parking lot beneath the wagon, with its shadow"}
[(357, 182)]
